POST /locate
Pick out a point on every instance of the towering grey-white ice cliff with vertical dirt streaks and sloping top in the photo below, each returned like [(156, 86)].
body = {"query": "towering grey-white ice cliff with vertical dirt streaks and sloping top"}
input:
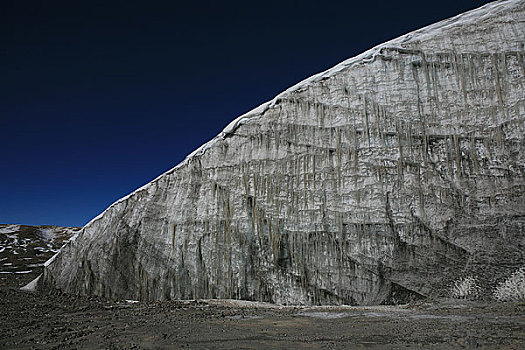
[(391, 175)]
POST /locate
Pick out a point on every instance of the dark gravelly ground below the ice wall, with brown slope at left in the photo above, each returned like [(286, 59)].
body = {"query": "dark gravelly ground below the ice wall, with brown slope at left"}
[(58, 321)]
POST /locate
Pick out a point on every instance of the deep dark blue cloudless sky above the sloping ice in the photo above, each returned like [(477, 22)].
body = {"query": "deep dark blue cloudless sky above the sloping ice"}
[(99, 97)]
